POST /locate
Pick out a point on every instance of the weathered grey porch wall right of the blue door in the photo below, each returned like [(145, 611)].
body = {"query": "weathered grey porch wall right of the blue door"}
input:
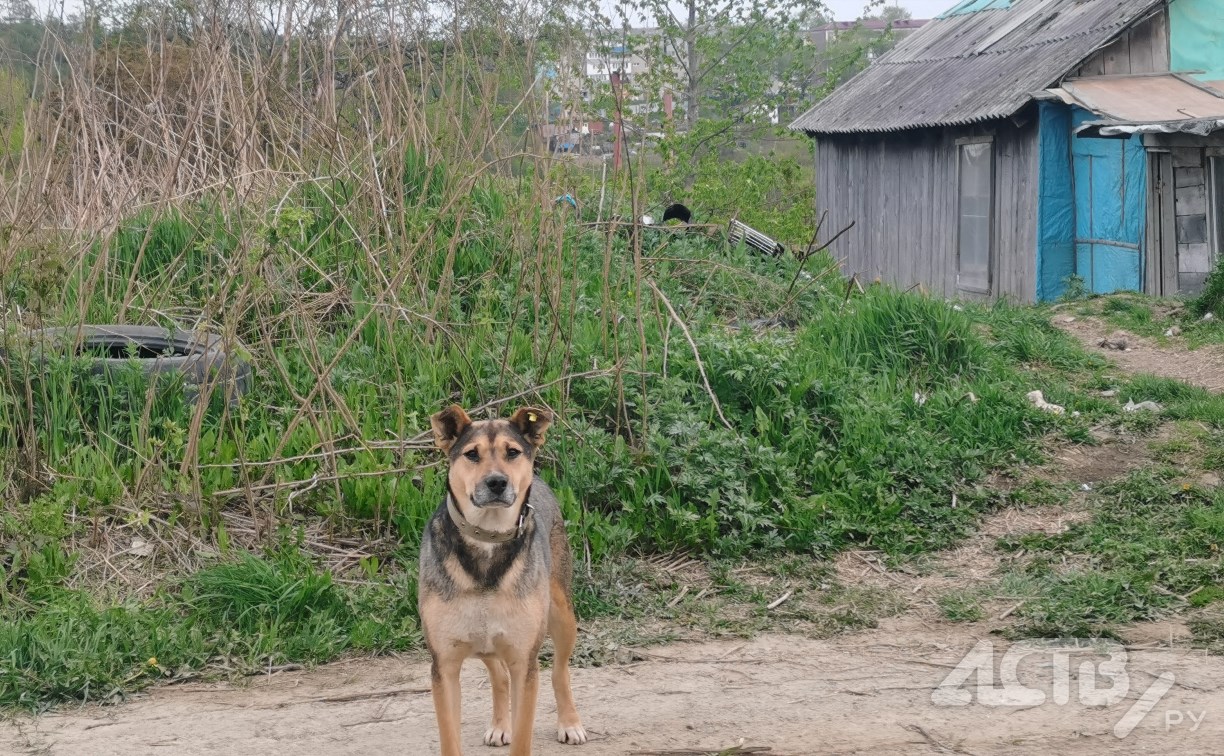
[(1190, 200)]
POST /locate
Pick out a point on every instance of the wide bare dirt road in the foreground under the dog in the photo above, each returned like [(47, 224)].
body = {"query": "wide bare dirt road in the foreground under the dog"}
[(870, 693)]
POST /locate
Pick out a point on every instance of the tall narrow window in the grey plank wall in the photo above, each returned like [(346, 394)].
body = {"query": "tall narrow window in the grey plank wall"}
[(975, 183)]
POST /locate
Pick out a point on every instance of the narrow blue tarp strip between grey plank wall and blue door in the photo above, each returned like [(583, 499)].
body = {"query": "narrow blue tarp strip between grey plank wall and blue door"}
[(1056, 202)]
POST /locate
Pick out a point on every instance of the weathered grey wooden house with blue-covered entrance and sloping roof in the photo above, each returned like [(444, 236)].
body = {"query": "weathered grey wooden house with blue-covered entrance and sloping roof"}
[(1008, 146)]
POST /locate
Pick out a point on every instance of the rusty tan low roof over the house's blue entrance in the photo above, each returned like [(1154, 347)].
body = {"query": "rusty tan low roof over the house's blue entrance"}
[(1134, 100)]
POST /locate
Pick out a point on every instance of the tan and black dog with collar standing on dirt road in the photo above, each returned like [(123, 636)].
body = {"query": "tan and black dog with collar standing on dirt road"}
[(496, 578)]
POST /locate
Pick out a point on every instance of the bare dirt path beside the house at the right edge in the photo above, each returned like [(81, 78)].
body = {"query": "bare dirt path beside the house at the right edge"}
[(1203, 368)]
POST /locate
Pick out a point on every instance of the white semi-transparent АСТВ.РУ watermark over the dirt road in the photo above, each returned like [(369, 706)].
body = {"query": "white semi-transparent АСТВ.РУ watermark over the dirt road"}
[(1101, 681)]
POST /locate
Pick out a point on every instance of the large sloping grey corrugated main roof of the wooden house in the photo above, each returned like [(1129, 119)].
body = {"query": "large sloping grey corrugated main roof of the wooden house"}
[(972, 68)]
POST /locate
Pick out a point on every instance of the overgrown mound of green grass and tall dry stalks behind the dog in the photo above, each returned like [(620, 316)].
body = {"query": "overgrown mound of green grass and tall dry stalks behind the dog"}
[(385, 245)]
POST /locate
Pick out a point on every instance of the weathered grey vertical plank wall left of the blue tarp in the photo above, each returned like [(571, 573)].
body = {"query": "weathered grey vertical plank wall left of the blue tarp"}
[(900, 191)]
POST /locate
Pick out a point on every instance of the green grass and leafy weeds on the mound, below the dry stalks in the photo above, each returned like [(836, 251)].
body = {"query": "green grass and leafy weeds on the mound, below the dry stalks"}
[(861, 421)]
